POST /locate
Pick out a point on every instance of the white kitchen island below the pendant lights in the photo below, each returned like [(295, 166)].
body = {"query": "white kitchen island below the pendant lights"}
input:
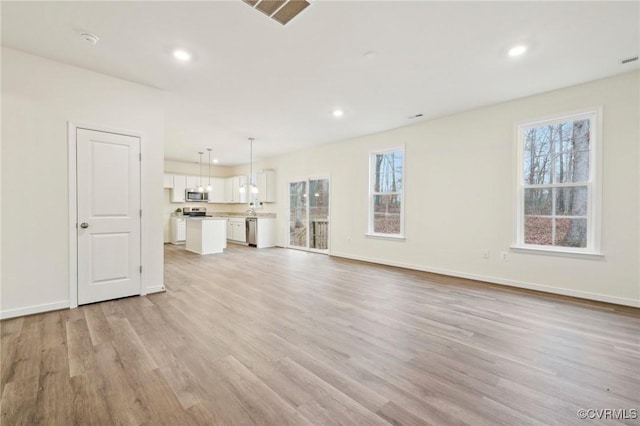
[(206, 235)]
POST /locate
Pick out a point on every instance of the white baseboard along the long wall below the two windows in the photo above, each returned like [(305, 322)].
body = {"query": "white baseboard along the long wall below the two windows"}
[(494, 280)]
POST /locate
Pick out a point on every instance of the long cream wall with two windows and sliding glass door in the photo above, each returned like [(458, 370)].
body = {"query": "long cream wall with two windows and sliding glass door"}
[(460, 195)]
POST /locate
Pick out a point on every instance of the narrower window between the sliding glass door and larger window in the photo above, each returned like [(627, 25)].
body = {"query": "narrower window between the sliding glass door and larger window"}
[(385, 193)]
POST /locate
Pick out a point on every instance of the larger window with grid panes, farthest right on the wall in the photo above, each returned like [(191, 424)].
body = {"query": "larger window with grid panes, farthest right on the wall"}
[(557, 193)]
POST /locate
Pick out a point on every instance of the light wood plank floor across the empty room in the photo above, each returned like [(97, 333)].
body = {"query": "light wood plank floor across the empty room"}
[(283, 337)]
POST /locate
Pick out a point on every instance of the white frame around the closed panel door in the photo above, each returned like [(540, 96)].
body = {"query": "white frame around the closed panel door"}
[(72, 127)]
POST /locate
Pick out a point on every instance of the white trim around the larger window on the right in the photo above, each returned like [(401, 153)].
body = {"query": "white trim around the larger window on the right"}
[(594, 185)]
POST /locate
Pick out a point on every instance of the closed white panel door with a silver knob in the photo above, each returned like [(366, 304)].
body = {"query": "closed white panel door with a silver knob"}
[(108, 176)]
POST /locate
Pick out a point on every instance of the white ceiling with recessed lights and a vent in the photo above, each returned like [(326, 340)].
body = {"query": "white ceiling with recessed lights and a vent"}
[(252, 77)]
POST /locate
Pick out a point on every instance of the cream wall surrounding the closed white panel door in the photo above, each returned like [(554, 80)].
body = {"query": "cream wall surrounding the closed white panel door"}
[(39, 97)]
